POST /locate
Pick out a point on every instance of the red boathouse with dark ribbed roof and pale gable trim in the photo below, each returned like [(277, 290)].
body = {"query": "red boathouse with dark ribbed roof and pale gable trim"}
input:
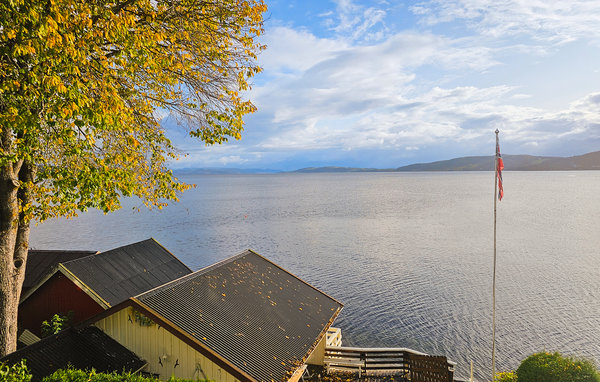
[(86, 286)]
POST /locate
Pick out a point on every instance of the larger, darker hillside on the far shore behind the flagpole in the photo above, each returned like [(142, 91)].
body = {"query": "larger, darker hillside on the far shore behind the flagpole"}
[(590, 161)]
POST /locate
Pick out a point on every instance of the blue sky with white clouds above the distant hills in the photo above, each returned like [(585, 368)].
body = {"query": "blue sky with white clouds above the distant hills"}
[(387, 83)]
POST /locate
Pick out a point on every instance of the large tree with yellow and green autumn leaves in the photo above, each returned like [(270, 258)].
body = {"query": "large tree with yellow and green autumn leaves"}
[(81, 83)]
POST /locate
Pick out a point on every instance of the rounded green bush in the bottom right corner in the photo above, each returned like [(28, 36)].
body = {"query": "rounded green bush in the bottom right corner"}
[(553, 367)]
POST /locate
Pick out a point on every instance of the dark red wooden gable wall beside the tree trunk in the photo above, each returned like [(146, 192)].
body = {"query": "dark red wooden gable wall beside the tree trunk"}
[(57, 295)]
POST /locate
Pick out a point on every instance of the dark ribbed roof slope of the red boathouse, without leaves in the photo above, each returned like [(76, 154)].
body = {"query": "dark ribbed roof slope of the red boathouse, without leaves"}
[(127, 271)]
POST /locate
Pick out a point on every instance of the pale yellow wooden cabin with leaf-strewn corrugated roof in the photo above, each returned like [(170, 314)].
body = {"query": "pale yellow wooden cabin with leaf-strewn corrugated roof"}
[(242, 319)]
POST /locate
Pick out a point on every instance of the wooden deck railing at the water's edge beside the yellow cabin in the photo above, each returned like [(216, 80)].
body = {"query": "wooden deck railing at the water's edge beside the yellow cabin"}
[(412, 365)]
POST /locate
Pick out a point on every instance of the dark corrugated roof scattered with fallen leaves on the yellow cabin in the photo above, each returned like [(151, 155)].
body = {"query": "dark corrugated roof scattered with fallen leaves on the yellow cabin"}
[(248, 310)]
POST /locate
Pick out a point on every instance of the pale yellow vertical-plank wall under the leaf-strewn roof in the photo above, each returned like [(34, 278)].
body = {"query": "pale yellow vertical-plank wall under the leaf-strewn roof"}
[(152, 343)]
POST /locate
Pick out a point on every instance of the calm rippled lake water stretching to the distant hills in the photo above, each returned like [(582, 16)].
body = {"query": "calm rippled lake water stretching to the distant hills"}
[(410, 255)]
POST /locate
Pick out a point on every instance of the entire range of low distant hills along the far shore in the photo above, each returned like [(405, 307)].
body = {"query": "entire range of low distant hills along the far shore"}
[(590, 161)]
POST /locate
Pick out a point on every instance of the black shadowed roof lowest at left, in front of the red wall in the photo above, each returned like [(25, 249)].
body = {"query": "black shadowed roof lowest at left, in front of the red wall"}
[(82, 348)]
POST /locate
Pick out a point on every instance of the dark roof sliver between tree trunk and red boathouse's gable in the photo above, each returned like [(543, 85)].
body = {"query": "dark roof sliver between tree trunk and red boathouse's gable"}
[(42, 262)]
